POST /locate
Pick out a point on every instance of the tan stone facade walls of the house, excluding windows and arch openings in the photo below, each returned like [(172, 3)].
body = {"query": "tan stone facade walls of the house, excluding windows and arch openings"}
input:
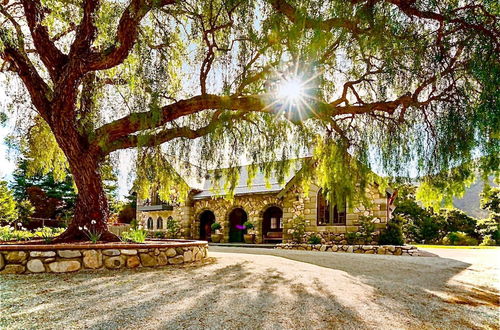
[(294, 203)]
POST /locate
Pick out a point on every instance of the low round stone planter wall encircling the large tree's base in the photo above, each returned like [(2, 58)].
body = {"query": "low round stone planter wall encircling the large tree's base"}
[(63, 258)]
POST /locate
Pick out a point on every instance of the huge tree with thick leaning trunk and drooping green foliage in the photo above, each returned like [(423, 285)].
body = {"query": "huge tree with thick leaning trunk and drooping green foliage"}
[(390, 83)]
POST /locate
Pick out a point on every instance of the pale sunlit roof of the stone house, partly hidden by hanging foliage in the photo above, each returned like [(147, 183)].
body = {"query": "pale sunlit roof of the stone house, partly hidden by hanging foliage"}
[(259, 184)]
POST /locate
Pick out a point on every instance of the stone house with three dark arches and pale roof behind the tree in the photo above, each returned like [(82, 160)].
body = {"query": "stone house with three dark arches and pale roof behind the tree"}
[(269, 205)]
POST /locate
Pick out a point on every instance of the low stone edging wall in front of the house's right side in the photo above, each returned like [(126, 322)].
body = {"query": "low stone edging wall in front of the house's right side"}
[(407, 250)]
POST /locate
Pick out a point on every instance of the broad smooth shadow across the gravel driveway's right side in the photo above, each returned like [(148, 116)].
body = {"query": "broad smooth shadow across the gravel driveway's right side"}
[(419, 286)]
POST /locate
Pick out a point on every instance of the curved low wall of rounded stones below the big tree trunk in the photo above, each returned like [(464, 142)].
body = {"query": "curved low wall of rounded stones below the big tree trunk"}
[(72, 260)]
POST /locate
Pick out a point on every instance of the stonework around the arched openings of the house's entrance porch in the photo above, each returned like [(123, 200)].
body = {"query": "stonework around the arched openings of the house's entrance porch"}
[(254, 205)]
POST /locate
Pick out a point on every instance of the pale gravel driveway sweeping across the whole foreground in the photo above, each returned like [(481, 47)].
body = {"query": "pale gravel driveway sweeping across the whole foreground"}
[(267, 289)]
